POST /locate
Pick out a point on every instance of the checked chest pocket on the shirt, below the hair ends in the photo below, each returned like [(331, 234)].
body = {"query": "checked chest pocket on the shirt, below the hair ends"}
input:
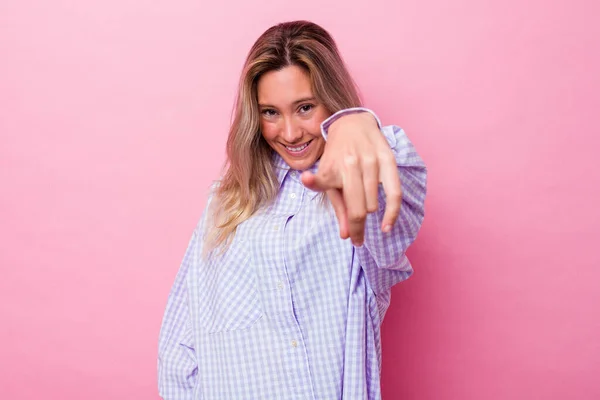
[(226, 290)]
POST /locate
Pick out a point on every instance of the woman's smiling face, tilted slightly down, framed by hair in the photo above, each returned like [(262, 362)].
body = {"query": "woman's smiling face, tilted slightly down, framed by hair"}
[(290, 116)]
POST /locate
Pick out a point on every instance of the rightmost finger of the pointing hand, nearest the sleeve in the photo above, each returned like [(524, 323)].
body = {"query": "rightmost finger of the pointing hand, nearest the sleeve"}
[(390, 179)]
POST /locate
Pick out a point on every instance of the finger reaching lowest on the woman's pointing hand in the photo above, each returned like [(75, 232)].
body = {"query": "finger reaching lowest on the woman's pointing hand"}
[(354, 198)]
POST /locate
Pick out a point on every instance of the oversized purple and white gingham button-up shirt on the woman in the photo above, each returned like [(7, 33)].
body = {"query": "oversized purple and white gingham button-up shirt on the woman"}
[(290, 310)]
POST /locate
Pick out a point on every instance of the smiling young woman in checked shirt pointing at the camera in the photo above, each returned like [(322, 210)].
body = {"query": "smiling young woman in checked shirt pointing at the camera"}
[(271, 300)]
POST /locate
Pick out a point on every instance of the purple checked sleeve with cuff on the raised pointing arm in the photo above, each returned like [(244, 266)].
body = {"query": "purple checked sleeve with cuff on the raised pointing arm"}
[(382, 256)]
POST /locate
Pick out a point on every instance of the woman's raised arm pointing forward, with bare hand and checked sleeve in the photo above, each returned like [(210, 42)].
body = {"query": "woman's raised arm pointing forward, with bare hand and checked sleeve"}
[(384, 226)]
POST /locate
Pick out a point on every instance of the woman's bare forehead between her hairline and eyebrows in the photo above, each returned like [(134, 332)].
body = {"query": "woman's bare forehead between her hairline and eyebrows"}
[(284, 86)]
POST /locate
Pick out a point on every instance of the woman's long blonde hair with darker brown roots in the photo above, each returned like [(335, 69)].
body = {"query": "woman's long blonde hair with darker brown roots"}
[(250, 182)]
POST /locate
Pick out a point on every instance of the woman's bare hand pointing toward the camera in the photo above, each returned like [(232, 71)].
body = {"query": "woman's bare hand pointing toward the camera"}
[(357, 157)]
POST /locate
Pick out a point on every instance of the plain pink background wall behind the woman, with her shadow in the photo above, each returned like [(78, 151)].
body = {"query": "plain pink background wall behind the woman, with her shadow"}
[(113, 118)]
